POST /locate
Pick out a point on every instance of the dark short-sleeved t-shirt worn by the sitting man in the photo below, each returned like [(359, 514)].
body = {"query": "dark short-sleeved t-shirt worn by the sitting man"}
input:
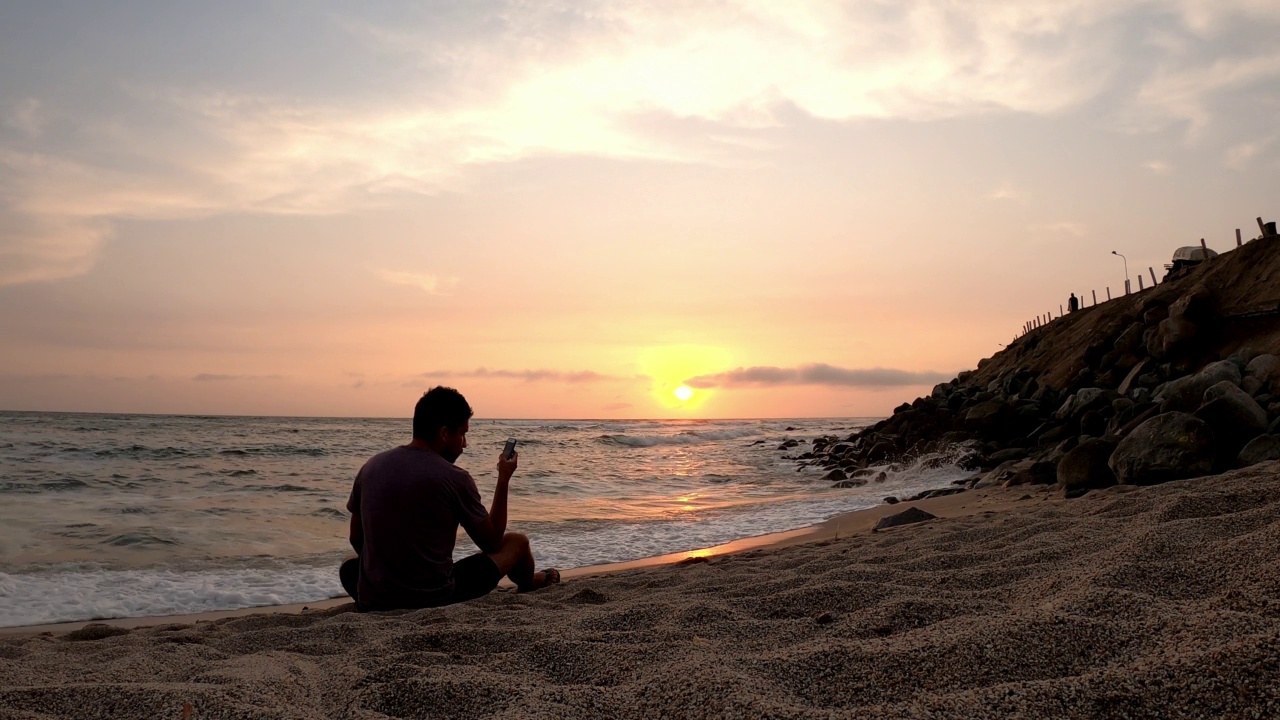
[(412, 503)]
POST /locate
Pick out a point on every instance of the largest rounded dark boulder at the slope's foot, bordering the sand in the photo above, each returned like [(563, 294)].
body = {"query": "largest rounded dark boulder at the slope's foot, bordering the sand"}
[(1167, 448)]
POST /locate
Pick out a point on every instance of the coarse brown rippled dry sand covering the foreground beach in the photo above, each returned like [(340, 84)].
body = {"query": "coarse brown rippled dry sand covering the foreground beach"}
[(1128, 603)]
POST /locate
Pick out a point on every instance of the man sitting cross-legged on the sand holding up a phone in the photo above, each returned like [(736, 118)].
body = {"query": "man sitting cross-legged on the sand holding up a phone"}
[(406, 507)]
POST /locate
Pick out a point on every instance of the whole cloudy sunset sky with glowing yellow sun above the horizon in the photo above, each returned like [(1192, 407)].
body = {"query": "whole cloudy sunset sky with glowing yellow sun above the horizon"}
[(578, 209)]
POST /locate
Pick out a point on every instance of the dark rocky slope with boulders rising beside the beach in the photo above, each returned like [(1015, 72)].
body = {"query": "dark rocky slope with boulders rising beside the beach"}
[(1180, 381)]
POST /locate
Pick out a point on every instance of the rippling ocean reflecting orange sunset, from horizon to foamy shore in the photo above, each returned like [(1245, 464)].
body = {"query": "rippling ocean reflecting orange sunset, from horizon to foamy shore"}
[(144, 516)]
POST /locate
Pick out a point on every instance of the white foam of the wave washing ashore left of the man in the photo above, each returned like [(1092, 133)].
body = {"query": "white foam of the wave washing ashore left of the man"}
[(65, 596)]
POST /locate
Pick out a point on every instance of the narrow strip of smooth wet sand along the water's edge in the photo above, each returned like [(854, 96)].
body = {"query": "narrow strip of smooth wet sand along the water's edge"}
[(858, 522)]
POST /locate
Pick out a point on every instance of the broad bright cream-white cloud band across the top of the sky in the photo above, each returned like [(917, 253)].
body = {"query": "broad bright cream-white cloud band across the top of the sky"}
[(508, 81)]
